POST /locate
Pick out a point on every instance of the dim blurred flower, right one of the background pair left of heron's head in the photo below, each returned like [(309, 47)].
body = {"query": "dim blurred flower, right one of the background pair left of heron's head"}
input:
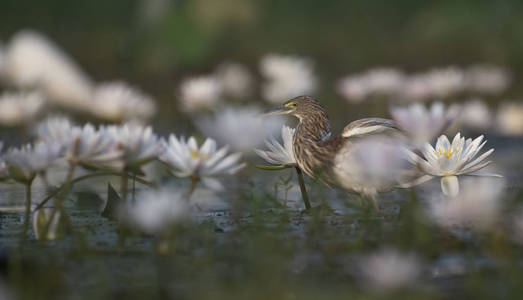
[(236, 81)]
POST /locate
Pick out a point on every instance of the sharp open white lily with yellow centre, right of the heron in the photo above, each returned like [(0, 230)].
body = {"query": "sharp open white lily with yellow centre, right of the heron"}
[(449, 160)]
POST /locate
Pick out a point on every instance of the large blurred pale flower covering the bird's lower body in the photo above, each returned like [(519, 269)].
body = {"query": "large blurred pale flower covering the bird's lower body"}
[(371, 165)]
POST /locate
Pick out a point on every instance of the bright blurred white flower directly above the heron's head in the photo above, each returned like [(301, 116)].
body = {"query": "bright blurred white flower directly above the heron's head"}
[(287, 77)]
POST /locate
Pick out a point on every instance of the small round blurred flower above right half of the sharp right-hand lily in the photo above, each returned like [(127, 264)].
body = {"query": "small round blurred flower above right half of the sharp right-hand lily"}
[(475, 114)]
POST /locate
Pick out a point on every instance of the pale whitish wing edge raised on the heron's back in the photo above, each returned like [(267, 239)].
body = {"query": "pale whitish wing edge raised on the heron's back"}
[(369, 126)]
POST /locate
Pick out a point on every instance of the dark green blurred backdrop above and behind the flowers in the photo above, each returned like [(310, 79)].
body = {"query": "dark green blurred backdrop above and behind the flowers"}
[(156, 44)]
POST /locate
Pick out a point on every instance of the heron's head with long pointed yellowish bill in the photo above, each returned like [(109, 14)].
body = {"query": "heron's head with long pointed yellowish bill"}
[(300, 107)]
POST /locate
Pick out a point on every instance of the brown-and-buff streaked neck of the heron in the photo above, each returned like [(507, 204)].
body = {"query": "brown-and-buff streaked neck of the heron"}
[(310, 132)]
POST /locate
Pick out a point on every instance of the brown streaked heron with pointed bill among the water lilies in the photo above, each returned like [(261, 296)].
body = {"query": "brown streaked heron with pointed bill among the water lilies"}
[(320, 154)]
